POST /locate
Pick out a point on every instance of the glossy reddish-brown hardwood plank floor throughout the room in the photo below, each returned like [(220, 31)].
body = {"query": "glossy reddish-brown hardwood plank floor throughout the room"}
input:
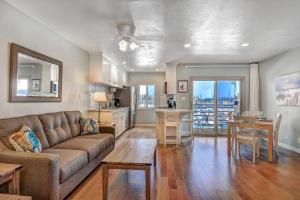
[(200, 171)]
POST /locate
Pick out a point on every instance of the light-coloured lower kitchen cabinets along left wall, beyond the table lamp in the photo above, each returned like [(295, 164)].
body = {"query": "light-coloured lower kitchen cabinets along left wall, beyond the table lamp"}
[(119, 116)]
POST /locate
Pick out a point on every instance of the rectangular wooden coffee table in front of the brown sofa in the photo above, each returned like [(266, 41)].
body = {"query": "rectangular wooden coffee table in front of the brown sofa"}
[(134, 154)]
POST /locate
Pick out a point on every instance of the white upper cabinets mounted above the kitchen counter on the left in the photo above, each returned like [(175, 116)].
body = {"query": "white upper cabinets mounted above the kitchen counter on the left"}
[(101, 70)]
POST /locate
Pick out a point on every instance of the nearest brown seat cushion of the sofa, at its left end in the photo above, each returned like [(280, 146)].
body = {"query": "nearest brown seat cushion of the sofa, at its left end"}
[(71, 161)]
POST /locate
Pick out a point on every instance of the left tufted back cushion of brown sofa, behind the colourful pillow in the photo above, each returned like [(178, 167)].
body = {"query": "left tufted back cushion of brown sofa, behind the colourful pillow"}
[(12, 125)]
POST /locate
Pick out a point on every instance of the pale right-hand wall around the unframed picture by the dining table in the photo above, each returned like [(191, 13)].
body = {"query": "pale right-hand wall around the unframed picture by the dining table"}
[(269, 69)]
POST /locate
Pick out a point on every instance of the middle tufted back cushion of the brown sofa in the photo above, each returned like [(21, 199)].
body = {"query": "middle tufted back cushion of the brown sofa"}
[(56, 127)]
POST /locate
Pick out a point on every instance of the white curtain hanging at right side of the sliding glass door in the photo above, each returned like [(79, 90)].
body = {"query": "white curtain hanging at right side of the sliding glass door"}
[(254, 87)]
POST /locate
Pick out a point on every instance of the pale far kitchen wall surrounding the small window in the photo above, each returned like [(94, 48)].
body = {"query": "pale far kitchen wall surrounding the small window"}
[(147, 116)]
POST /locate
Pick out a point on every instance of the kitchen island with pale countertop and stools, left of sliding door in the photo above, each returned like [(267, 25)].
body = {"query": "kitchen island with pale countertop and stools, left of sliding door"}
[(174, 126)]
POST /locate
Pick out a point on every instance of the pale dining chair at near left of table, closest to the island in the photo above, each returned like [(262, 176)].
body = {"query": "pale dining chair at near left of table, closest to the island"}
[(245, 135)]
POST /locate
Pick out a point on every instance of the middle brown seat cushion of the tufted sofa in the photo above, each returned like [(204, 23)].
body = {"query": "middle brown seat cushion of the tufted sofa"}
[(92, 146)]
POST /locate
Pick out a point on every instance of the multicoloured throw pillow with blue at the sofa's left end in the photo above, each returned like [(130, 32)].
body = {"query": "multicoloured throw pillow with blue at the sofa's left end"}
[(25, 140)]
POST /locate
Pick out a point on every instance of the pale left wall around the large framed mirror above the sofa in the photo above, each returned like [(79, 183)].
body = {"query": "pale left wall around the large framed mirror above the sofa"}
[(18, 28)]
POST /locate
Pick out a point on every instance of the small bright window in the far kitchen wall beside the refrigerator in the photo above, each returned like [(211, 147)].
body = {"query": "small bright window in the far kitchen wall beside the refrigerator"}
[(146, 96)]
